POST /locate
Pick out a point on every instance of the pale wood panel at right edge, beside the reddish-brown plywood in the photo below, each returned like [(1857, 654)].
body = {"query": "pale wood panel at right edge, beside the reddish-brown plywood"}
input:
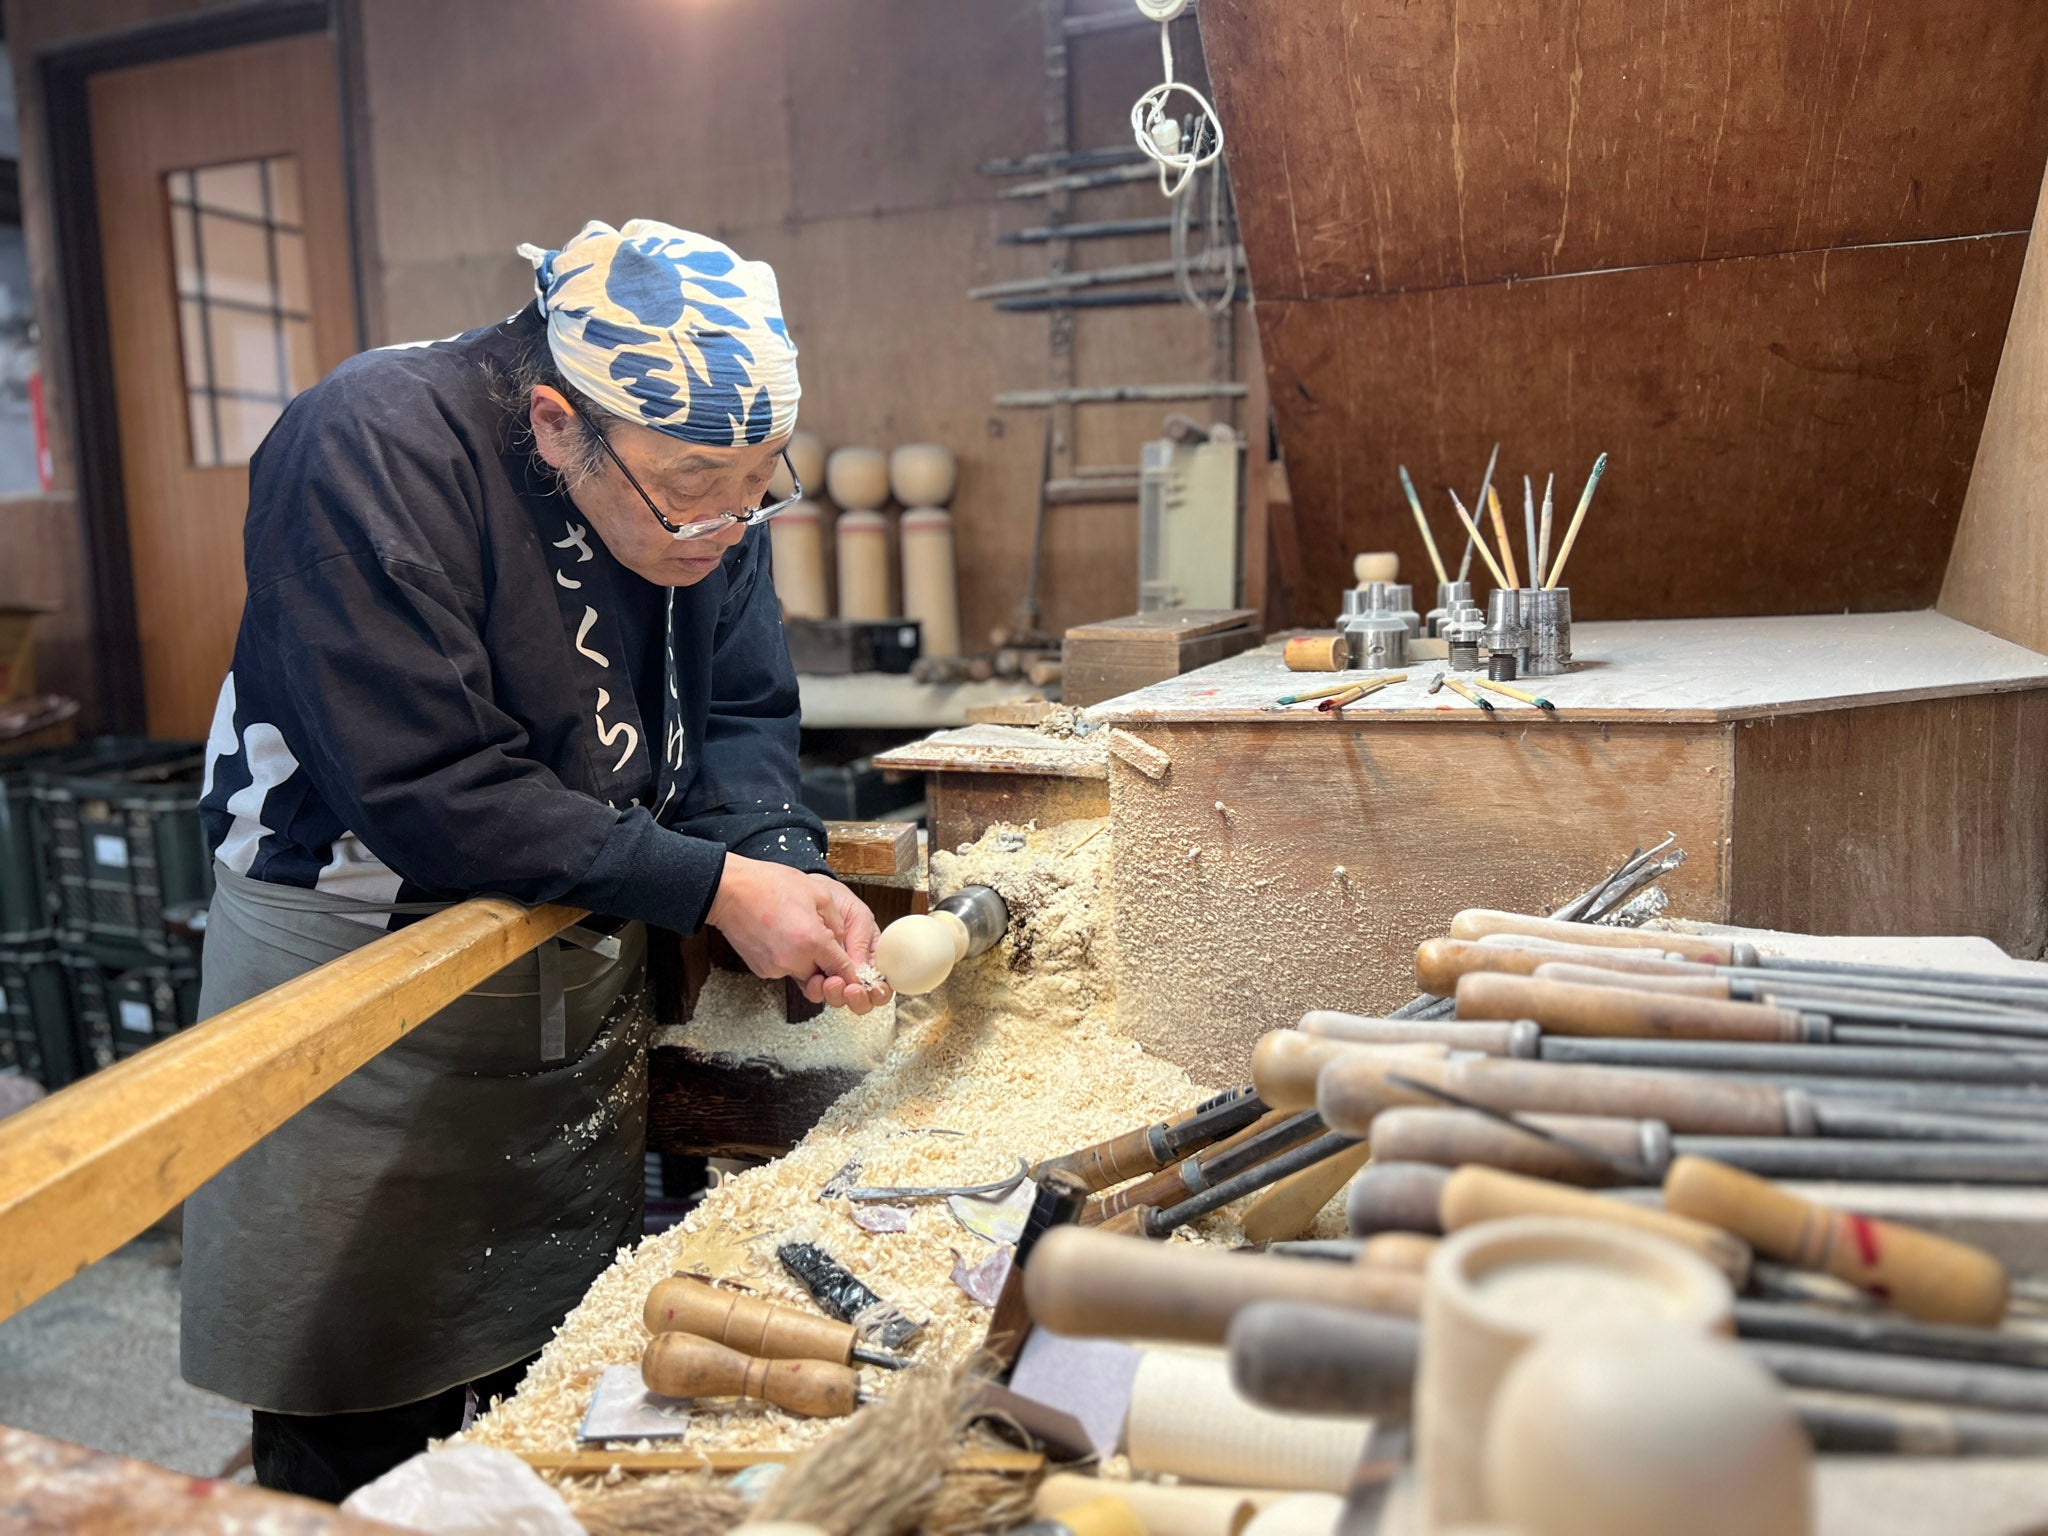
[(1998, 570)]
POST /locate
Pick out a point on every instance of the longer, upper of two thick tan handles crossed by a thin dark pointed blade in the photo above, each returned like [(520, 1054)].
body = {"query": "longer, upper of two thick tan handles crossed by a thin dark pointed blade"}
[(1355, 1091)]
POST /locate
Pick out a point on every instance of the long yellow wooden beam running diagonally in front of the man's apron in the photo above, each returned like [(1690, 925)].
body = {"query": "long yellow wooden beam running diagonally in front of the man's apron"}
[(97, 1162)]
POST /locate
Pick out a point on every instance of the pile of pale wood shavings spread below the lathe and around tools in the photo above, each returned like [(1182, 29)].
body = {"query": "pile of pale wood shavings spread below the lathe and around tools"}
[(1015, 1058)]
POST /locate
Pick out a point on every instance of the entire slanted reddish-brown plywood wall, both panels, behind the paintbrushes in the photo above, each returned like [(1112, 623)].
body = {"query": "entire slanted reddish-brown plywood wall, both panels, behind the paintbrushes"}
[(1758, 251)]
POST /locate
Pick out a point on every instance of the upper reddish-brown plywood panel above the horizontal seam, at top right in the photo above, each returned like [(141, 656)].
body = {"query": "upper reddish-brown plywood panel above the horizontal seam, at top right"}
[(1383, 146)]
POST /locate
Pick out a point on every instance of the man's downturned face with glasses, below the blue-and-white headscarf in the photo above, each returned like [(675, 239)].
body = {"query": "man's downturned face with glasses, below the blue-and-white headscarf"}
[(685, 480)]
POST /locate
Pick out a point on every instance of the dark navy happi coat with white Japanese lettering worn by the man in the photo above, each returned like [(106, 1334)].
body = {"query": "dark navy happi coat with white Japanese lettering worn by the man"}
[(447, 687)]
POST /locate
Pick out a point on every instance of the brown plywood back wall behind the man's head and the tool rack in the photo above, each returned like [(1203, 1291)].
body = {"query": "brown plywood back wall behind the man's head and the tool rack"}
[(833, 138)]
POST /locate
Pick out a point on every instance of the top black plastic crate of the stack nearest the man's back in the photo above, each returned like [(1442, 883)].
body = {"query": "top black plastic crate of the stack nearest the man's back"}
[(124, 845)]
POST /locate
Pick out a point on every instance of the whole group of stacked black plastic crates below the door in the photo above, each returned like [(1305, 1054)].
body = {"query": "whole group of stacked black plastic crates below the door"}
[(97, 843)]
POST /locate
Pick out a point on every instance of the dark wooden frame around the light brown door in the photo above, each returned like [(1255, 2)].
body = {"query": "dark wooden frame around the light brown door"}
[(65, 75)]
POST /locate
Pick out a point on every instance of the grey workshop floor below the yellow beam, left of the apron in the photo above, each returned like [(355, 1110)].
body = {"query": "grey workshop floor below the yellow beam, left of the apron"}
[(97, 1363)]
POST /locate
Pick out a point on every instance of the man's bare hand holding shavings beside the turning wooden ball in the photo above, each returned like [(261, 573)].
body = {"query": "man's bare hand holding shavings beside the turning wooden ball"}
[(792, 925)]
